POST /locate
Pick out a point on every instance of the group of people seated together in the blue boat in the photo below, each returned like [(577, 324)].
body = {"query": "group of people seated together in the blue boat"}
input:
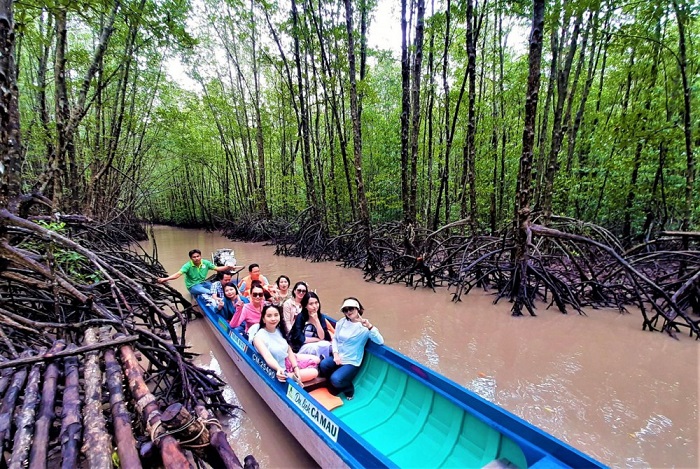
[(287, 328)]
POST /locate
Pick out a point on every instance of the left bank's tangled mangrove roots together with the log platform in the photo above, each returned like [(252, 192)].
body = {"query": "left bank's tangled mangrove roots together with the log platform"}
[(74, 302)]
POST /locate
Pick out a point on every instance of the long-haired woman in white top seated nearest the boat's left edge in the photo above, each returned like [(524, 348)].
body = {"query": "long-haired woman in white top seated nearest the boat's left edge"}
[(270, 343)]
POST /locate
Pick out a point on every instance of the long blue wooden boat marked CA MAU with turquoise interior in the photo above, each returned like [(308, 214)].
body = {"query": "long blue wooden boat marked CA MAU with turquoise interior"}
[(403, 415)]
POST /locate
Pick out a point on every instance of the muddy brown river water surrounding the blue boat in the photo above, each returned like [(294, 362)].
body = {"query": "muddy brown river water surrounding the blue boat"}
[(628, 398)]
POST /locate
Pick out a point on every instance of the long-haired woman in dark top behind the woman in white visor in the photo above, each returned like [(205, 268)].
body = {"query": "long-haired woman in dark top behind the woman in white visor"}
[(310, 331)]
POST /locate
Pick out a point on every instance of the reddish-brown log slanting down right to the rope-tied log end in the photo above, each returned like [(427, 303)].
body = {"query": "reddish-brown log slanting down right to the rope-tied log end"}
[(170, 451)]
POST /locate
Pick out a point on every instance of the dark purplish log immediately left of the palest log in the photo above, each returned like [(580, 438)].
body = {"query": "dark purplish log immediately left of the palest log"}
[(71, 423)]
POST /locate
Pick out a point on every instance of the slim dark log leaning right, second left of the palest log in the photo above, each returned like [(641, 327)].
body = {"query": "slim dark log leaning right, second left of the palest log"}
[(40, 445)]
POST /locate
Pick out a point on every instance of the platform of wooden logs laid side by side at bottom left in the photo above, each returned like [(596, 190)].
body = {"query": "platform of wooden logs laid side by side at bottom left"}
[(62, 394)]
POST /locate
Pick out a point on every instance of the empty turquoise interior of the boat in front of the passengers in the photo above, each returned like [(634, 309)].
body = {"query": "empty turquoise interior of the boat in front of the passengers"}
[(427, 429)]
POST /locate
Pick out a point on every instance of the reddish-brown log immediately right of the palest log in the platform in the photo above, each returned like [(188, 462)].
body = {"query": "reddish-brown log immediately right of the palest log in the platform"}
[(121, 418)]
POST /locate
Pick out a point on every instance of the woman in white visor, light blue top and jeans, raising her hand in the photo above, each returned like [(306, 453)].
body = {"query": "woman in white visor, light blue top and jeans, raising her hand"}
[(351, 335)]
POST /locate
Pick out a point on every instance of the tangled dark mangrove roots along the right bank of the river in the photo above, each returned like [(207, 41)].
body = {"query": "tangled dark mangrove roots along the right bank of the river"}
[(571, 265)]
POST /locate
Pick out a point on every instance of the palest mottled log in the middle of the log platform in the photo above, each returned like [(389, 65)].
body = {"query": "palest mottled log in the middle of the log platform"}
[(97, 443)]
